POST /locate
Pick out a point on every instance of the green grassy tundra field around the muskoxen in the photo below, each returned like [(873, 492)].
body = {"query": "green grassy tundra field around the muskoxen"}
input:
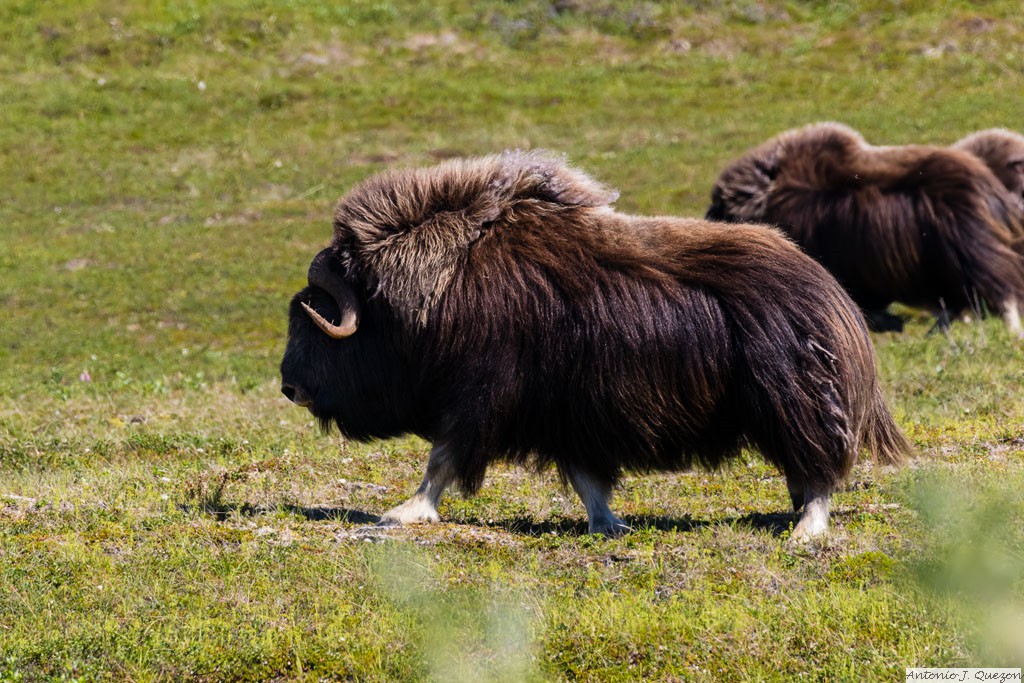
[(168, 172)]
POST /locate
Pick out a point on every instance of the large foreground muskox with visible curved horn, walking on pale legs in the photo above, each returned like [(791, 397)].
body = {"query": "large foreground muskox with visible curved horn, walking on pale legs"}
[(500, 309)]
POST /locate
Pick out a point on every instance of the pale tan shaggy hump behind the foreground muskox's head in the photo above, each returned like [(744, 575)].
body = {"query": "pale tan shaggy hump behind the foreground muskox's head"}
[(408, 233)]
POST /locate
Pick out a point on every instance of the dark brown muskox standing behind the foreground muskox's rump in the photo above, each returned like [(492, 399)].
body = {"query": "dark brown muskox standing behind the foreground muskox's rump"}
[(927, 227)]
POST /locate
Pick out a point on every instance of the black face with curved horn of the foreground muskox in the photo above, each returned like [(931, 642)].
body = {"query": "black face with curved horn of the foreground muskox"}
[(347, 372)]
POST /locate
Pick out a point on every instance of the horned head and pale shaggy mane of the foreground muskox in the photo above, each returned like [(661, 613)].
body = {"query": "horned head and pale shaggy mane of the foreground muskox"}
[(363, 333)]
